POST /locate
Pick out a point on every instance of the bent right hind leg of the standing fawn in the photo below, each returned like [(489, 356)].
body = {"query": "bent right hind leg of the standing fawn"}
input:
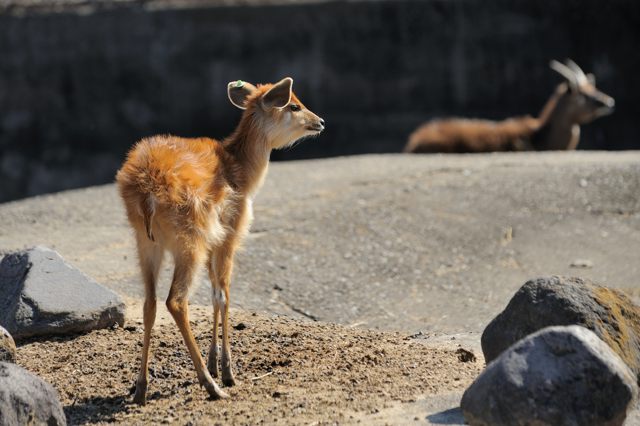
[(187, 263)]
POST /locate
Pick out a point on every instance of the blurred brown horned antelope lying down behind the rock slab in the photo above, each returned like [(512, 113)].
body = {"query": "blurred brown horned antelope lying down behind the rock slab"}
[(574, 102)]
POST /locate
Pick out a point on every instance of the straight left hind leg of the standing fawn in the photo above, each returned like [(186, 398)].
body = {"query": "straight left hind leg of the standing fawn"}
[(150, 257)]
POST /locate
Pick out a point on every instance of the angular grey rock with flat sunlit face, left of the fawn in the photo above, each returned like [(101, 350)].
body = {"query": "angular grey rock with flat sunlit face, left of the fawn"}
[(40, 294)]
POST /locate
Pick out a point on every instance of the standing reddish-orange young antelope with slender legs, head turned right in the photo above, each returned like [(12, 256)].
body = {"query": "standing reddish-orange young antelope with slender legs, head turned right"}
[(192, 197)]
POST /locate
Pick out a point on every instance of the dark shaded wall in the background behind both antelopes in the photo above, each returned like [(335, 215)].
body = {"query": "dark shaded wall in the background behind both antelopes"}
[(80, 82)]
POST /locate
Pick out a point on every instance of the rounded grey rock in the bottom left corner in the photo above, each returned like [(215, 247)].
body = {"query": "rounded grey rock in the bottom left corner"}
[(27, 399)]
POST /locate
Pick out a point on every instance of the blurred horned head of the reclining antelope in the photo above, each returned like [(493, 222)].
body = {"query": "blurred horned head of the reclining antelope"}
[(583, 103)]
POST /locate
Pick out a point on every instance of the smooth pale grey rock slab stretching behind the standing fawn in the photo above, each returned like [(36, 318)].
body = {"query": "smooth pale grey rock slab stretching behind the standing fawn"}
[(435, 243)]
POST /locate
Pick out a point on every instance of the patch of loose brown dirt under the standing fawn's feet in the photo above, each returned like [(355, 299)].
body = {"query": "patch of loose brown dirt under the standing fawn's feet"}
[(289, 371)]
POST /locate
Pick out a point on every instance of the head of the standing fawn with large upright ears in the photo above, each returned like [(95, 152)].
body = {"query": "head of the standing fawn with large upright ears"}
[(276, 111)]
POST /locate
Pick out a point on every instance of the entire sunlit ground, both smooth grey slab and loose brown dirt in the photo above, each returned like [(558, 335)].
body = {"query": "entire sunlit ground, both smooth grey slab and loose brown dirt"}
[(435, 243)]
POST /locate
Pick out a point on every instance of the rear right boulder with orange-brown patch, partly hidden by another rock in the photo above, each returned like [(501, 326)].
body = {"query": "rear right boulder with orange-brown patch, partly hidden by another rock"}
[(564, 301)]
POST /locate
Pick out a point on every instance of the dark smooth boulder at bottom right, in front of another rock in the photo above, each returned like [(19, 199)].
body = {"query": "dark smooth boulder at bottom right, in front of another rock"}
[(557, 376)]
